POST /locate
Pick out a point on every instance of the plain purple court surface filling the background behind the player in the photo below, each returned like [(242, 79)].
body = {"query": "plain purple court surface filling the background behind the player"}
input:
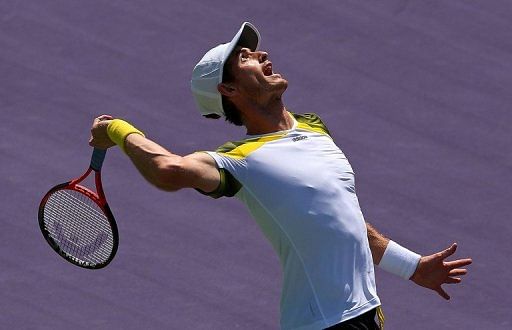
[(417, 94)]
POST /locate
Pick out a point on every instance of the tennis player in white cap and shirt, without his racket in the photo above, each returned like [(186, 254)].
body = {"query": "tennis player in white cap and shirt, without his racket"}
[(297, 184)]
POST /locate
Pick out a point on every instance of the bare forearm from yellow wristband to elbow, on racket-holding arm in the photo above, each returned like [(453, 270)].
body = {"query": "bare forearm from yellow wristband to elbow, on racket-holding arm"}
[(155, 163)]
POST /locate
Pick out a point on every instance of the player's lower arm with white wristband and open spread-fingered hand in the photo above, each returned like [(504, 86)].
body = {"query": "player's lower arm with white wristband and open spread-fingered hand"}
[(430, 271)]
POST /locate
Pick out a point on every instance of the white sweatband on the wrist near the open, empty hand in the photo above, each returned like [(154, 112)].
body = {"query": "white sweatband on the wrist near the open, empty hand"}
[(399, 261)]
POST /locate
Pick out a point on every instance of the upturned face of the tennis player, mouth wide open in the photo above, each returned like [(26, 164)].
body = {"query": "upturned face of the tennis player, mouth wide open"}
[(253, 76)]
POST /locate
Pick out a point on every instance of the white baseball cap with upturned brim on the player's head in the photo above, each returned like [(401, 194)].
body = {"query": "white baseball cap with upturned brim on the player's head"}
[(207, 74)]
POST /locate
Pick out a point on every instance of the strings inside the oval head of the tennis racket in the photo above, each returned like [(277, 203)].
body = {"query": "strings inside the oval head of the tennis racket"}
[(78, 226)]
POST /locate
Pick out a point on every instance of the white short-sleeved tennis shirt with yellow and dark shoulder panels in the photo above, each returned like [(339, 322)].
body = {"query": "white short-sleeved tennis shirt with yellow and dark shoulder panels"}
[(299, 187)]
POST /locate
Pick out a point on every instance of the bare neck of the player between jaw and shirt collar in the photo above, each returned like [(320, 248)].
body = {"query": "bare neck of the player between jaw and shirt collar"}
[(271, 118)]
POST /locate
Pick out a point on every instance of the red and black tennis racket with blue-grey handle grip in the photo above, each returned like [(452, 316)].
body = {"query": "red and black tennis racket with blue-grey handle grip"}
[(77, 222)]
